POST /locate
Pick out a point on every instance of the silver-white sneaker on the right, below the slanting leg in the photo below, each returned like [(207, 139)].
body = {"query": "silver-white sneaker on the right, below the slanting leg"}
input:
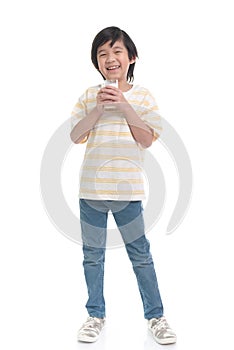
[(161, 331)]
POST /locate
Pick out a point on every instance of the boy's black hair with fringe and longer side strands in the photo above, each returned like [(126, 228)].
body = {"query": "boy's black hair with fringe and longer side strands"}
[(114, 34)]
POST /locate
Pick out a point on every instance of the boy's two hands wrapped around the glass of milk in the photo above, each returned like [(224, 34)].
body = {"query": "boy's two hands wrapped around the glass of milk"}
[(109, 95)]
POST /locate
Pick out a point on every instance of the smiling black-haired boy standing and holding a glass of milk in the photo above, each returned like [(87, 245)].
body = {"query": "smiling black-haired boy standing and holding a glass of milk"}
[(118, 123)]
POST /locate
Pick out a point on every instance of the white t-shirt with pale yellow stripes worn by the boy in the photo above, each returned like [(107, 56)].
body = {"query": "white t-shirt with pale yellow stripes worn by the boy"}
[(113, 164)]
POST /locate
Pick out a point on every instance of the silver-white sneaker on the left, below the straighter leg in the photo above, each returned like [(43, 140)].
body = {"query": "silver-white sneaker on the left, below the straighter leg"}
[(91, 329)]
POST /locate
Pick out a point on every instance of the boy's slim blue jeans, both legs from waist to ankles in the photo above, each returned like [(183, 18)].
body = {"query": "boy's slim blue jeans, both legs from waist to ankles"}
[(129, 219)]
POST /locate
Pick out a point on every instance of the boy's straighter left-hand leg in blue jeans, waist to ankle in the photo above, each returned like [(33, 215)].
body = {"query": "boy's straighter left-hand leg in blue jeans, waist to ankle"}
[(93, 225)]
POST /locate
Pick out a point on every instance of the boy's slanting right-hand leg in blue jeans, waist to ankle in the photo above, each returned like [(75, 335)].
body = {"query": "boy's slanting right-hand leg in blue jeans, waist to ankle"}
[(131, 225)]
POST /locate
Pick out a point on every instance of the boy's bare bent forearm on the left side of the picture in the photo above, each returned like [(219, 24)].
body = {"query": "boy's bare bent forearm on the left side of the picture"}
[(82, 129)]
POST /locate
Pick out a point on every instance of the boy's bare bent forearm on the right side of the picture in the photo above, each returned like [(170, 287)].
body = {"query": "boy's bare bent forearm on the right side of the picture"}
[(140, 131)]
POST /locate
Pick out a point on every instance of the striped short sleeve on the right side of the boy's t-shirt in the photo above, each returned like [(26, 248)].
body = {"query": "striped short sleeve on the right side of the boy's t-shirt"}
[(151, 116)]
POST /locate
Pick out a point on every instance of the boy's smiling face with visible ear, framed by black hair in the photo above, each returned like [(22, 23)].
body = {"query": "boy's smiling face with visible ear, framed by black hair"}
[(113, 62)]
